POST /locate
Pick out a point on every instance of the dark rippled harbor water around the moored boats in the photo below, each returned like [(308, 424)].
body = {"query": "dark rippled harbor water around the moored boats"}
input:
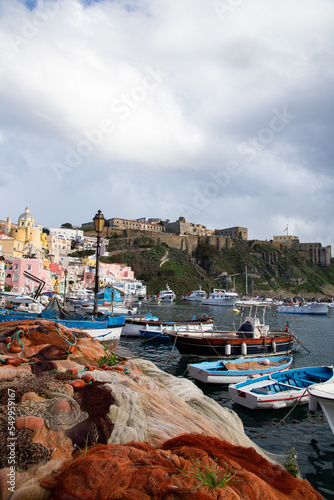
[(273, 430)]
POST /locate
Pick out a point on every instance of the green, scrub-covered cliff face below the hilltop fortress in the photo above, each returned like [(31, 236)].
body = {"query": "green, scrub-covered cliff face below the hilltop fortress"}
[(269, 270)]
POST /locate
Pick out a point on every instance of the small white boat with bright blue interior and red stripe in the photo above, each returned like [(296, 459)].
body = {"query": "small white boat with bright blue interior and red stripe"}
[(280, 390)]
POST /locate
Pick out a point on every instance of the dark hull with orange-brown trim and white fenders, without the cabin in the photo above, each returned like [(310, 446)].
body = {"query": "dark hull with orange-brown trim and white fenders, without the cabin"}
[(231, 346)]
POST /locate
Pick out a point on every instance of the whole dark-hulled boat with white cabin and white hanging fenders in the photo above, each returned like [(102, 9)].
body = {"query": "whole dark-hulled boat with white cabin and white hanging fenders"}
[(252, 339)]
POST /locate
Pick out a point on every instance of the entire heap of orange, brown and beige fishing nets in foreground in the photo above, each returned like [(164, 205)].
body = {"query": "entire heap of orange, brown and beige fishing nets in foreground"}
[(73, 425)]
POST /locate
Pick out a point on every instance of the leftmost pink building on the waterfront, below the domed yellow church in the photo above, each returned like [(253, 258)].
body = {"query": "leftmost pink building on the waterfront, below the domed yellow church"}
[(20, 283)]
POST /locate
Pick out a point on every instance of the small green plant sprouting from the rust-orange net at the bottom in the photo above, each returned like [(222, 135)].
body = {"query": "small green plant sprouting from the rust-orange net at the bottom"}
[(211, 475)]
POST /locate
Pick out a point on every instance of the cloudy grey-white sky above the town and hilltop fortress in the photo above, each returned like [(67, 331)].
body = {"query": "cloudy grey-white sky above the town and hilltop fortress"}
[(220, 111)]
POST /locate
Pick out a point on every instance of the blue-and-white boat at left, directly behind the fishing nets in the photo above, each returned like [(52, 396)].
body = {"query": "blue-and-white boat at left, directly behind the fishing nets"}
[(105, 327)]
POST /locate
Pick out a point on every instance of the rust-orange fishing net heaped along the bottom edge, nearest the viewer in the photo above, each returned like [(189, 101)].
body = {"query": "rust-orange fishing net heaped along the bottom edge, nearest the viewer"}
[(177, 470)]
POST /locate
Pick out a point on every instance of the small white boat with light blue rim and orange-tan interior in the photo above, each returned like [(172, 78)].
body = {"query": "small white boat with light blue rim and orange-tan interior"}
[(238, 370)]
